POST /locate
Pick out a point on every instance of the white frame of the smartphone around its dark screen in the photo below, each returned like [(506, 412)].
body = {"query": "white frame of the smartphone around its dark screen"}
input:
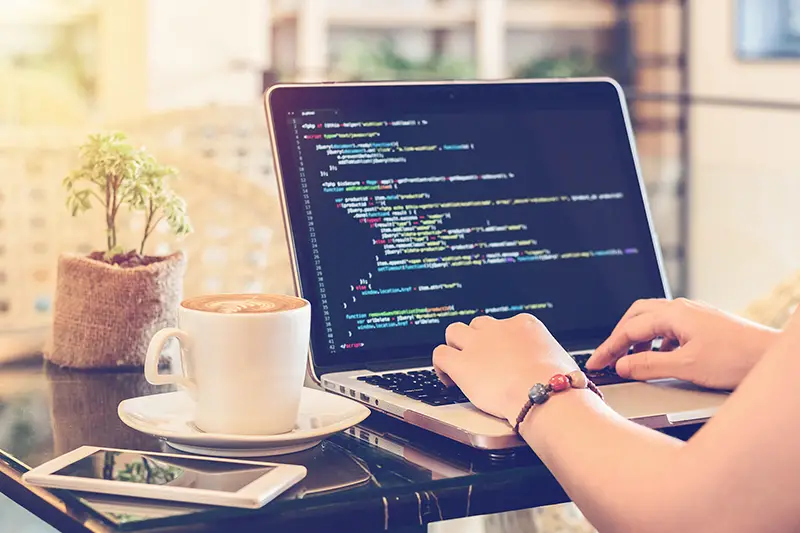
[(252, 495)]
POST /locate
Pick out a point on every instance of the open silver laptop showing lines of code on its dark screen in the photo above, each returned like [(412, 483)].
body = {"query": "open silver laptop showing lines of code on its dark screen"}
[(347, 146)]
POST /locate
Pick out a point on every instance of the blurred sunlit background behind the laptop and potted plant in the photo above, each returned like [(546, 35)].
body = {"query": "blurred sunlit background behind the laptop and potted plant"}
[(713, 85)]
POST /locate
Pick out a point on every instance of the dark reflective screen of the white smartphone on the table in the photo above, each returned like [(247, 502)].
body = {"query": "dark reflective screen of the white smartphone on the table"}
[(147, 469)]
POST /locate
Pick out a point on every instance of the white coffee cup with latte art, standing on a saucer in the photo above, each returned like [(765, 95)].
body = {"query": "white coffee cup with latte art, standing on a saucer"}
[(243, 359)]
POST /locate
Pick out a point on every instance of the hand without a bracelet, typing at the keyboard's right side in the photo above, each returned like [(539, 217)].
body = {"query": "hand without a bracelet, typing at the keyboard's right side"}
[(701, 344)]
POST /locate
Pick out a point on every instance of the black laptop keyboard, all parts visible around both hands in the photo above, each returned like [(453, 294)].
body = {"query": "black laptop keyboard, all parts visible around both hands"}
[(425, 386)]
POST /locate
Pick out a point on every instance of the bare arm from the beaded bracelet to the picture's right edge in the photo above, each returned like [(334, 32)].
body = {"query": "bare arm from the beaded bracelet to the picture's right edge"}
[(737, 474)]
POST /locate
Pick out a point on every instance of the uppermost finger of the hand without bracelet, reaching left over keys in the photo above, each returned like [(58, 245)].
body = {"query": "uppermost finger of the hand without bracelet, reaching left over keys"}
[(639, 329)]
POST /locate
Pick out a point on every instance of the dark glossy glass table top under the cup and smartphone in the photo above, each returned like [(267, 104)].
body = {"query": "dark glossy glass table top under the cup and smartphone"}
[(377, 475)]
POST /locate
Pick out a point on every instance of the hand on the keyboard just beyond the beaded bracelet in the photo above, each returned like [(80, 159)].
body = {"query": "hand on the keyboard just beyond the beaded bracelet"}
[(496, 362)]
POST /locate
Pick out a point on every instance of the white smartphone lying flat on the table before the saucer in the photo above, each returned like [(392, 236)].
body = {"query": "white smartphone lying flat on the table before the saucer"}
[(163, 476)]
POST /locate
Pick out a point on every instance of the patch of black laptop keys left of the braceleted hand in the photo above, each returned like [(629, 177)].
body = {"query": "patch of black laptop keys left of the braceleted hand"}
[(422, 385)]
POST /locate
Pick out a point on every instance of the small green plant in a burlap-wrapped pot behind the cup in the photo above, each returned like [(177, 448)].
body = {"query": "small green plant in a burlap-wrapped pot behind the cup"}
[(110, 303)]
